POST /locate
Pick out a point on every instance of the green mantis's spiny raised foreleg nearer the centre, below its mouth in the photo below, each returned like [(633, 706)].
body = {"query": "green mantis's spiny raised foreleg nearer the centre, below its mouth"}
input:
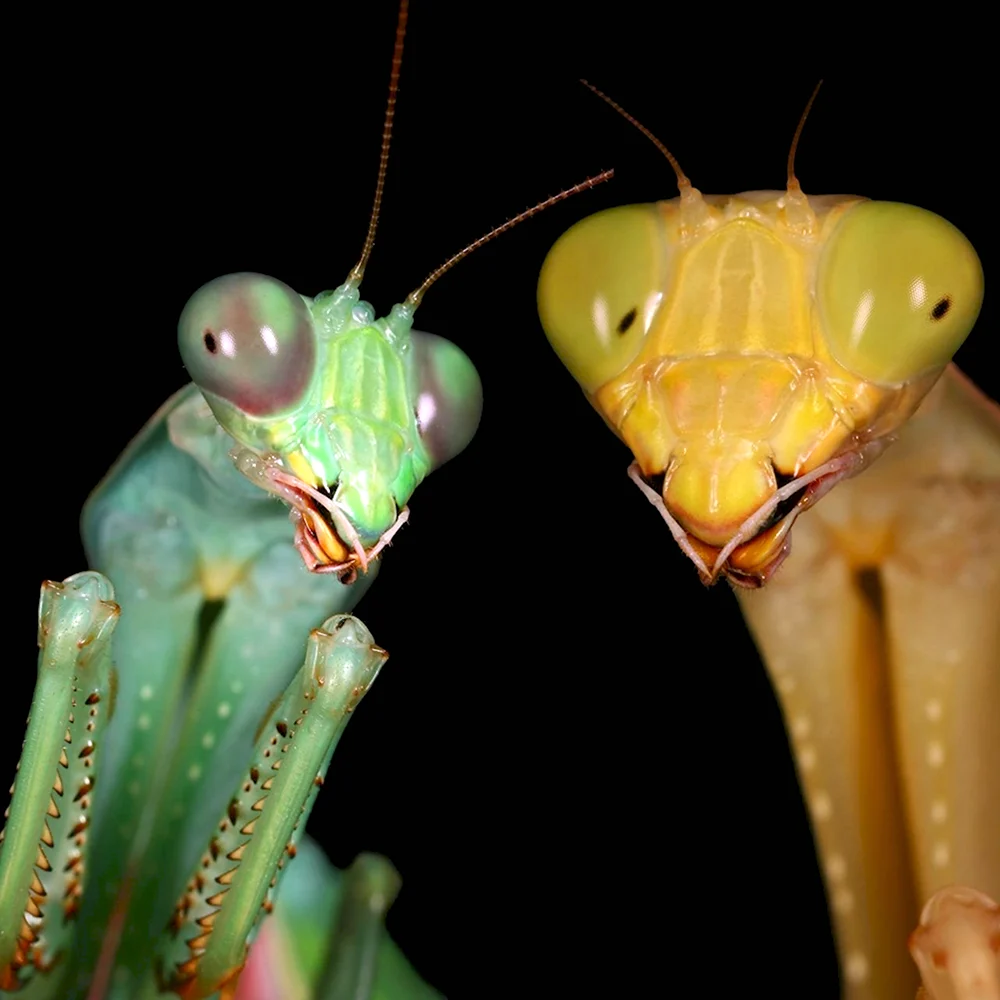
[(233, 885)]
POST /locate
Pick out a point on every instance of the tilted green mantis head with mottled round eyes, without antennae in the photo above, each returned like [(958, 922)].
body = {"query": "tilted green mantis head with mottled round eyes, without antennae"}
[(339, 414)]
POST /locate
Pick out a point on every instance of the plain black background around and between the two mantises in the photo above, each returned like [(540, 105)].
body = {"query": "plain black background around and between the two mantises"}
[(573, 756)]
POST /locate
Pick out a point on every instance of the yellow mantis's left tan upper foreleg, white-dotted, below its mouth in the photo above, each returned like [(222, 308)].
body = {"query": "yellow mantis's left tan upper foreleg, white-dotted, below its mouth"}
[(820, 638)]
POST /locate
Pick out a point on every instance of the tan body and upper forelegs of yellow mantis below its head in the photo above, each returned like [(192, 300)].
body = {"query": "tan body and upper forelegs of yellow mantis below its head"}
[(882, 636)]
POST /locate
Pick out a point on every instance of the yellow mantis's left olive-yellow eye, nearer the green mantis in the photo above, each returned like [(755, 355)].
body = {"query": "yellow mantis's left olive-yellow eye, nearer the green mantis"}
[(599, 289)]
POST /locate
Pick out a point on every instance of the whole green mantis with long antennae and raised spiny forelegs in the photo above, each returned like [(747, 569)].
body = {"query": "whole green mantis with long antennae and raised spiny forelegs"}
[(141, 851)]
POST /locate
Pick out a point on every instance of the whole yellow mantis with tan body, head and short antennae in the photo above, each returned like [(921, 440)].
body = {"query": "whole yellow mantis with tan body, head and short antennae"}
[(754, 351)]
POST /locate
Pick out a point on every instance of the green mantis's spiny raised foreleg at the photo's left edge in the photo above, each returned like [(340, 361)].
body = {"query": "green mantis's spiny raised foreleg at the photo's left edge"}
[(44, 843)]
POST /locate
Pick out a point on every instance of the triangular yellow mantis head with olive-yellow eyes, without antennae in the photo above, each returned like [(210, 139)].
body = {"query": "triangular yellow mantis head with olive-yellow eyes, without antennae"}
[(754, 350)]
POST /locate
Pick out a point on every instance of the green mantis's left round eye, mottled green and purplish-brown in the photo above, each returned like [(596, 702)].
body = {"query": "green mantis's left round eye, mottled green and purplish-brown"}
[(249, 339)]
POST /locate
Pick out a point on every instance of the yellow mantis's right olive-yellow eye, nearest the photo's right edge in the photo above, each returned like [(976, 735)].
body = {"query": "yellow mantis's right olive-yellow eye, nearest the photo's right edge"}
[(899, 289)]
